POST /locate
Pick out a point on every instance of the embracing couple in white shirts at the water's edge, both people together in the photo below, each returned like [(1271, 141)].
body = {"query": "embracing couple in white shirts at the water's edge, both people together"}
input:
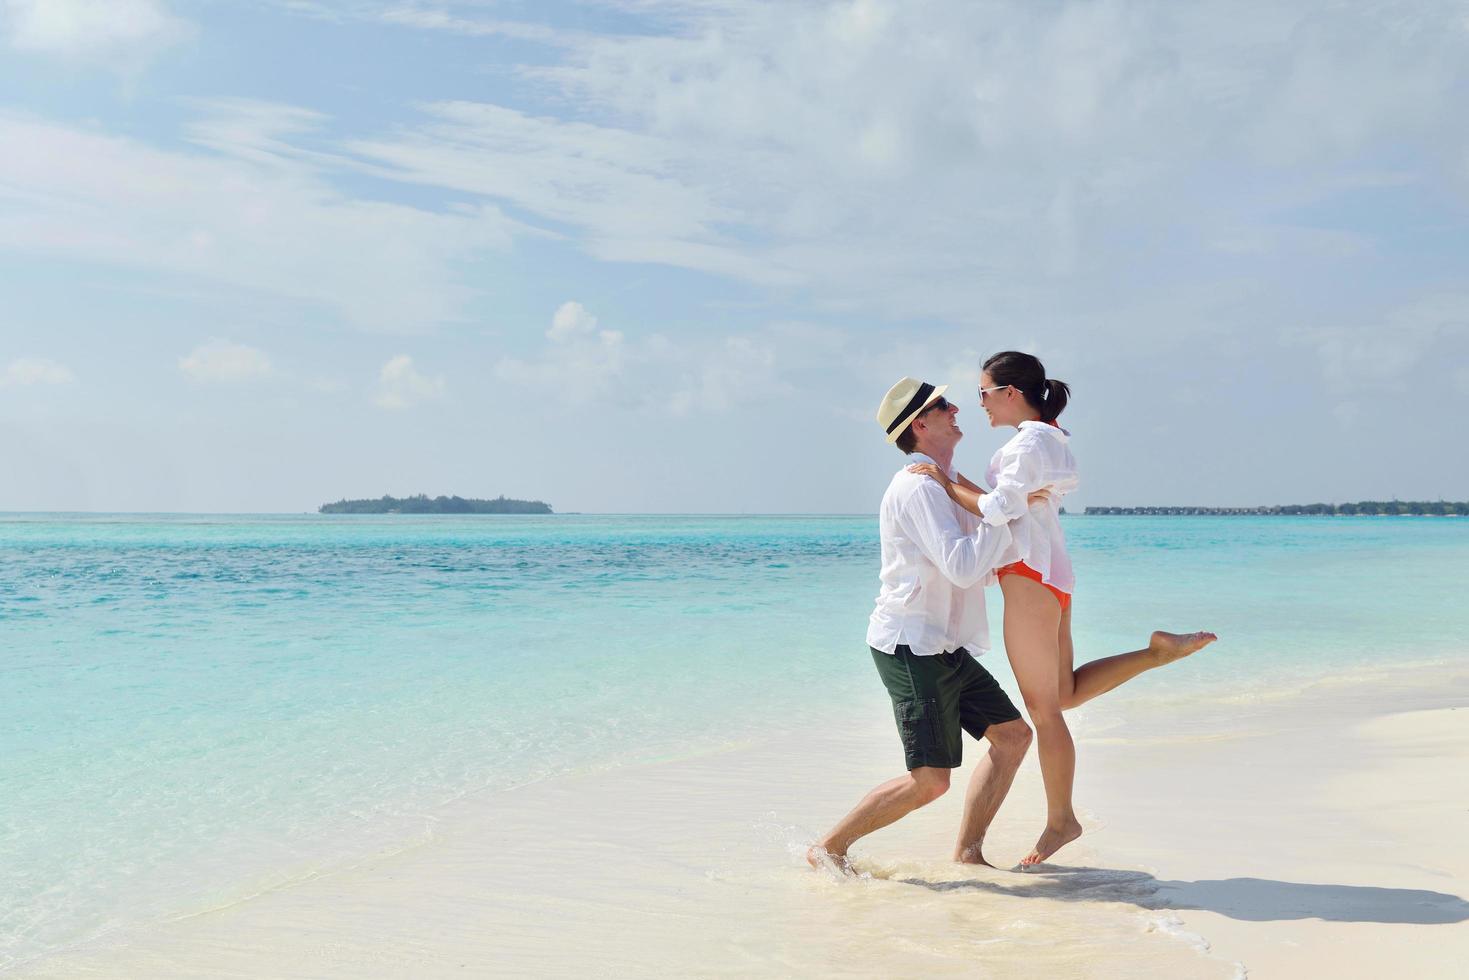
[(944, 538)]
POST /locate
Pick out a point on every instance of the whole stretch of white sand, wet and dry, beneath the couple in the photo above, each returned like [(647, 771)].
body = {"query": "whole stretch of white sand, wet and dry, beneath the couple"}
[(1317, 835)]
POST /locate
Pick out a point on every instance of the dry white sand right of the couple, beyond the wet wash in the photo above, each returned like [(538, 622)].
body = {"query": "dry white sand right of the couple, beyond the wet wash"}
[(1323, 838)]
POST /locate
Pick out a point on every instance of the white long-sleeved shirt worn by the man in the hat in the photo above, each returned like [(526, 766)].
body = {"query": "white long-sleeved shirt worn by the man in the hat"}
[(936, 558)]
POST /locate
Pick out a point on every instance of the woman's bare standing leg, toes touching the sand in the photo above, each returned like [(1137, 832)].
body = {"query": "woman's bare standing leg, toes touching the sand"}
[(1032, 631)]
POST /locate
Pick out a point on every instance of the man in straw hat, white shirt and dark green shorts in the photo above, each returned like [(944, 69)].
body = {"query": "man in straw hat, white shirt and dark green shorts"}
[(931, 612)]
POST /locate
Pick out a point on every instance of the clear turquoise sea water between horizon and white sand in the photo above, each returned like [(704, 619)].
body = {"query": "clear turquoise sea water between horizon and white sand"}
[(198, 709)]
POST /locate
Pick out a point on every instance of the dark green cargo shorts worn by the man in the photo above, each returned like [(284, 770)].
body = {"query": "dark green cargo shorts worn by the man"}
[(935, 699)]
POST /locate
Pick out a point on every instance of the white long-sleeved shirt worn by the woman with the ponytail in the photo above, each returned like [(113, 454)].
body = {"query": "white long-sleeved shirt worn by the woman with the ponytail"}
[(1038, 458)]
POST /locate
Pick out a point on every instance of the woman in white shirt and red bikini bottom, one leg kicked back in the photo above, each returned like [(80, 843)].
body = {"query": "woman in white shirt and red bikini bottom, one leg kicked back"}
[(1036, 577)]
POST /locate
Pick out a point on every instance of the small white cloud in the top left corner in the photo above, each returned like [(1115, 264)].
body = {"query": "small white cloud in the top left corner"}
[(102, 30)]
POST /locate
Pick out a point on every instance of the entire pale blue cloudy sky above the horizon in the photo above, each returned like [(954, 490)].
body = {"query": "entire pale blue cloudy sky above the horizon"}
[(668, 256)]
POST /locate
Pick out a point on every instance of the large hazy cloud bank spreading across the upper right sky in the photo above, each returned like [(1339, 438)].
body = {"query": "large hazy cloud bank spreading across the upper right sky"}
[(948, 158)]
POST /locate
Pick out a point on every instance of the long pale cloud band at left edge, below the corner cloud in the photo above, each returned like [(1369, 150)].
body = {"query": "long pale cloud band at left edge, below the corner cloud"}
[(252, 211)]
